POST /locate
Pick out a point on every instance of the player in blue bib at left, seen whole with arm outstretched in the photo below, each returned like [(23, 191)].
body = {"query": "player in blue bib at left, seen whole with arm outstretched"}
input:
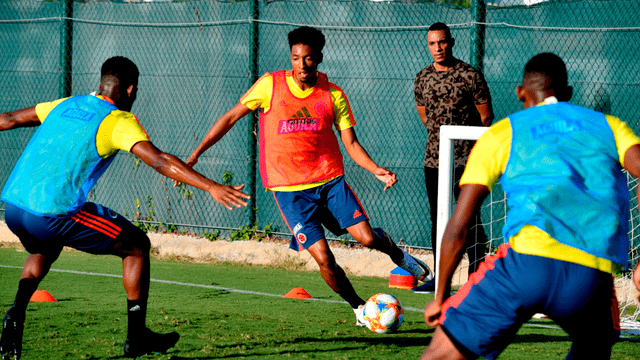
[(46, 196)]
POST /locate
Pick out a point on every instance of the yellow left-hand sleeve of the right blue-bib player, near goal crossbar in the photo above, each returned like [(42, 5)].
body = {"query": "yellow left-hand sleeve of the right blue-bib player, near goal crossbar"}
[(489, 157)]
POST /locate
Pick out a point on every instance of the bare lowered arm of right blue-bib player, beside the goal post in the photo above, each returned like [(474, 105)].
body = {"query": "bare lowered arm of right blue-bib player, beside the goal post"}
[(453, 247)]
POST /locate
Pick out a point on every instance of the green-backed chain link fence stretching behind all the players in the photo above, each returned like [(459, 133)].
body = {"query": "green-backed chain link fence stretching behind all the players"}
[(197, 58)]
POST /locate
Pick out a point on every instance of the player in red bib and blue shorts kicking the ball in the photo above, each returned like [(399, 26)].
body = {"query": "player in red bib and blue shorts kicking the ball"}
[(301, 162)]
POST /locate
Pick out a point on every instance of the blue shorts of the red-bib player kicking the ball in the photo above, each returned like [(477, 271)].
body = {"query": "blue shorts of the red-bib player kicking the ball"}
[(333, 205)]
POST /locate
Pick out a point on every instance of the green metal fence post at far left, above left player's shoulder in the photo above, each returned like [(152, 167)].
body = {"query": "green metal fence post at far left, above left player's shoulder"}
[(66, 48)]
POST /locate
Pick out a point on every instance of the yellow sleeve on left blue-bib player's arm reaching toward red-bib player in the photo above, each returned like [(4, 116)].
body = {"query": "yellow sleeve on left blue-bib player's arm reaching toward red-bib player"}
[(120, 130)]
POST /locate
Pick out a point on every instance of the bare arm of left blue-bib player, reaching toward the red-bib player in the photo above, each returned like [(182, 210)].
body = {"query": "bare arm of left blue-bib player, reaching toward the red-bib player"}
[(174, 168)]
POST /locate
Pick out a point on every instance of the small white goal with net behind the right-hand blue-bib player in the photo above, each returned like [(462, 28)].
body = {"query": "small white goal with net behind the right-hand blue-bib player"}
[(493, 214)]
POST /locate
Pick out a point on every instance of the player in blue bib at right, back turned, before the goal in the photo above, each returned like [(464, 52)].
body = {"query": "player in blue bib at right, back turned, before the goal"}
[(560, 166)]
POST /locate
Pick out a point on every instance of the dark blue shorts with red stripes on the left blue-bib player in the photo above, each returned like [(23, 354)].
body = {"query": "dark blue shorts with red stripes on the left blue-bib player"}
[(93, 230)]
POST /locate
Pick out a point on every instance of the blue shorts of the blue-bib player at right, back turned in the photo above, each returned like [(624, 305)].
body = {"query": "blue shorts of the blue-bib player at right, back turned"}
[(482, 318)]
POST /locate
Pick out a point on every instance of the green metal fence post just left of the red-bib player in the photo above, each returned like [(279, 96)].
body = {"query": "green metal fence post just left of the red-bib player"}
[(253, 123)]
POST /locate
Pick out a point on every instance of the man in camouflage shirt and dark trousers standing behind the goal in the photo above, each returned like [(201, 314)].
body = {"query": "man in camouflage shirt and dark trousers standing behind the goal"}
[(450, 92)]
